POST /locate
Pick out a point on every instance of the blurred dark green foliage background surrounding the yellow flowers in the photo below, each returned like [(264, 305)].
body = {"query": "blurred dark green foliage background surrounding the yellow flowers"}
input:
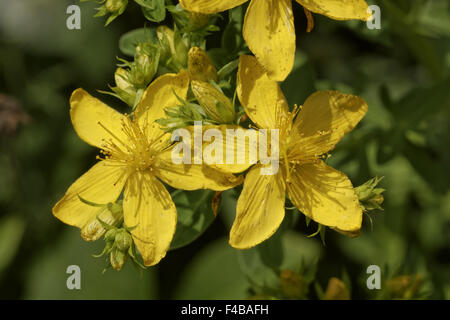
[(402, 71)]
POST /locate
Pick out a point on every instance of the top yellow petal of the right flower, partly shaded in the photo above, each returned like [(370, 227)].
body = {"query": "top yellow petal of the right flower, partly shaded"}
[(261, 97)]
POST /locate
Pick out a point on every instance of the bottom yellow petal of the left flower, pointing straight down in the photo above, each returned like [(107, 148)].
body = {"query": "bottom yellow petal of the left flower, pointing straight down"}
[(148, 206)]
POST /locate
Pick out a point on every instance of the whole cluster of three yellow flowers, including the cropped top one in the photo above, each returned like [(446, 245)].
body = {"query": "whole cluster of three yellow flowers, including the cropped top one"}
[(135, 156)]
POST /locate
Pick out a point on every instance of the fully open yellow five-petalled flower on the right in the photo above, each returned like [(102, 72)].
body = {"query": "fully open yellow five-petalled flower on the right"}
[(317, 190)]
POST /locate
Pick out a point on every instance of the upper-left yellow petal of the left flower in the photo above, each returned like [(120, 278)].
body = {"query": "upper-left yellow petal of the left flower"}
[(93, 120)]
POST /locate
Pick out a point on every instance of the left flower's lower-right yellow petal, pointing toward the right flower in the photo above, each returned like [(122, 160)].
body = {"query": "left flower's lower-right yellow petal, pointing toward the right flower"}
[(192, 176)]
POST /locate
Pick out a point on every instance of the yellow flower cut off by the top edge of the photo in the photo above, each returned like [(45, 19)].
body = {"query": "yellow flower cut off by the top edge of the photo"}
[(269, 25)]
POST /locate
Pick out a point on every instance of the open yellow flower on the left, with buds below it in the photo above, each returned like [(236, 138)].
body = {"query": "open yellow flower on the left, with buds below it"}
[(136, 155)]
